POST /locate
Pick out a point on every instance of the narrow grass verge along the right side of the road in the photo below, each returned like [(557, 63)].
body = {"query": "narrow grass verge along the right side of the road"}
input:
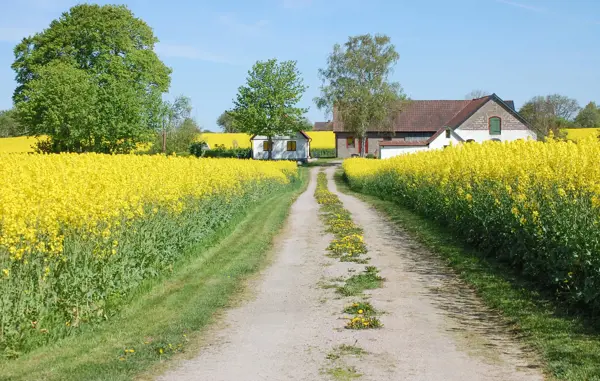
[(568, 345)]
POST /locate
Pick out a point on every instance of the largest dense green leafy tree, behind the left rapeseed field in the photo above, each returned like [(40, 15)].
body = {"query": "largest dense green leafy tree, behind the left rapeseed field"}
[(97, 65)]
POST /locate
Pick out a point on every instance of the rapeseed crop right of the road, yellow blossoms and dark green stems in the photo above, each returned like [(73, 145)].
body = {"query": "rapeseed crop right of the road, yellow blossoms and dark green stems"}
[(534, 204)]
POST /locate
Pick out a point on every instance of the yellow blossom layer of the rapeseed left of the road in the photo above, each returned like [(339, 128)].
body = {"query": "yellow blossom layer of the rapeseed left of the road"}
[(42, 194)]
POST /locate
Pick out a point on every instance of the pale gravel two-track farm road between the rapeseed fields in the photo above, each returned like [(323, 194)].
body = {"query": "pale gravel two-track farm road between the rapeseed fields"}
[(434, 329)]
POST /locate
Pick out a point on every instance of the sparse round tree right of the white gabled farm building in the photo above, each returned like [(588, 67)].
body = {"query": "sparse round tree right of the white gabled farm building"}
[(549, 113)]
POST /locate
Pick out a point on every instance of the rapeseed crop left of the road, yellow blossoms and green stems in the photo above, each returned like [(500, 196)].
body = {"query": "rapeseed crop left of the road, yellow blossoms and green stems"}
[(76, 229)]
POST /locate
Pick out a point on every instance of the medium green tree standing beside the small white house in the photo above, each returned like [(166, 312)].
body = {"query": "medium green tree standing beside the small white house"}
[(267, 104)]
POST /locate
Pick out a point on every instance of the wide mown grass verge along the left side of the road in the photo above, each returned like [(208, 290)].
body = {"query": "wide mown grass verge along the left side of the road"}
[(168, 316)]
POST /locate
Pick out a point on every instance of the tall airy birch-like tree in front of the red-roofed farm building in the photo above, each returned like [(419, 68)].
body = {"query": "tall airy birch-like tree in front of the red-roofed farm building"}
[(356, 84)]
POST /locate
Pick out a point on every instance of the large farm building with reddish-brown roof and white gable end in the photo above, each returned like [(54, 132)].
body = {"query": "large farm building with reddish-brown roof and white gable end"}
[(431, 124)]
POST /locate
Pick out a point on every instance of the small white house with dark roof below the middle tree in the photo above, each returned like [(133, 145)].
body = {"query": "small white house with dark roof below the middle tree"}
[(296, 147)]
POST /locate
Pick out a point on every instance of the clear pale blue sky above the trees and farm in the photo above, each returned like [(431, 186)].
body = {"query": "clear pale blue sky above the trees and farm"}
[(515, 48)]
